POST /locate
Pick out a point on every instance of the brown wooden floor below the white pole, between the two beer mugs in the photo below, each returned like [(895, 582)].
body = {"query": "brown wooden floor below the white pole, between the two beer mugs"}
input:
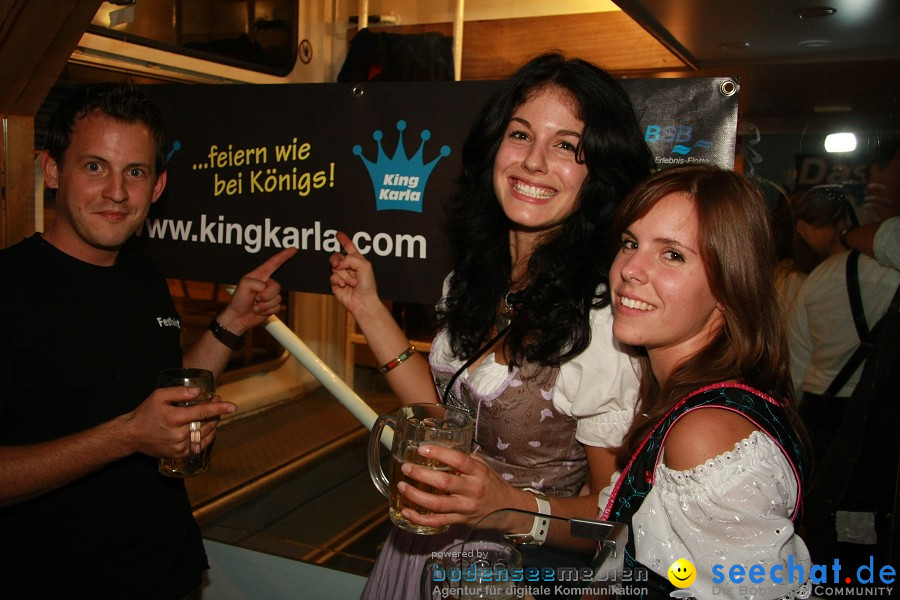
[(293, 481)]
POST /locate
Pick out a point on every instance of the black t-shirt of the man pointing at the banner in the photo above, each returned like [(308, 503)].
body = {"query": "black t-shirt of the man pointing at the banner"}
[(80, 345)]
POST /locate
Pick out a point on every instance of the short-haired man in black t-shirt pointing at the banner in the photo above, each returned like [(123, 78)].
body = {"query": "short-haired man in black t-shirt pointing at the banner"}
[(86, 324)]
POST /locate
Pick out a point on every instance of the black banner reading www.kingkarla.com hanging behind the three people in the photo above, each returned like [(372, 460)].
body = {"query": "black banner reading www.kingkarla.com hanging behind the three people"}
[(255, 168)]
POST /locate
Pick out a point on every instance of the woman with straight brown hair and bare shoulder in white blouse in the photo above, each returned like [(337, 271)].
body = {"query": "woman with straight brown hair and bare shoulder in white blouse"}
[(692, 290)]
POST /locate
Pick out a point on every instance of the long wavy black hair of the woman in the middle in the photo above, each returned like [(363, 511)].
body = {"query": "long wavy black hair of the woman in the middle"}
[(571, 262)]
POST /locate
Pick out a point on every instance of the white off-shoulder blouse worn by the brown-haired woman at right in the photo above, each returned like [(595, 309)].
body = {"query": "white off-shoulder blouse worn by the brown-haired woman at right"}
[(734, 509)]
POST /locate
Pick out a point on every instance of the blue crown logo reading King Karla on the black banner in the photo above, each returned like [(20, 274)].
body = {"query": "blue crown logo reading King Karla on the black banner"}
[(400, 181)]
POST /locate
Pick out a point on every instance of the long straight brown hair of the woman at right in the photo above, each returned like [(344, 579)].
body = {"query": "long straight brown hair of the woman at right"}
[(736, 246)]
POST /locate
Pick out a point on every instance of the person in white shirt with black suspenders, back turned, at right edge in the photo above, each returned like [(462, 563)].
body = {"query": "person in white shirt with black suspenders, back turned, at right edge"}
[(843, 349)]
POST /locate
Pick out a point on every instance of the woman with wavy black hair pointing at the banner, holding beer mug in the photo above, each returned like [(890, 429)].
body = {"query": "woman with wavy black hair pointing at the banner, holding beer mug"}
[(525, 342)]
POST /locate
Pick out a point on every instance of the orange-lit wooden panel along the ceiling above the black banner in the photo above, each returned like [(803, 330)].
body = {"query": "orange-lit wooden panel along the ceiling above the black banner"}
[(494, 49)]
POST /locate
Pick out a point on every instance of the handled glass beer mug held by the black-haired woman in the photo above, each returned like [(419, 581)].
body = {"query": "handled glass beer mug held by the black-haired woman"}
[(415, 425)]
